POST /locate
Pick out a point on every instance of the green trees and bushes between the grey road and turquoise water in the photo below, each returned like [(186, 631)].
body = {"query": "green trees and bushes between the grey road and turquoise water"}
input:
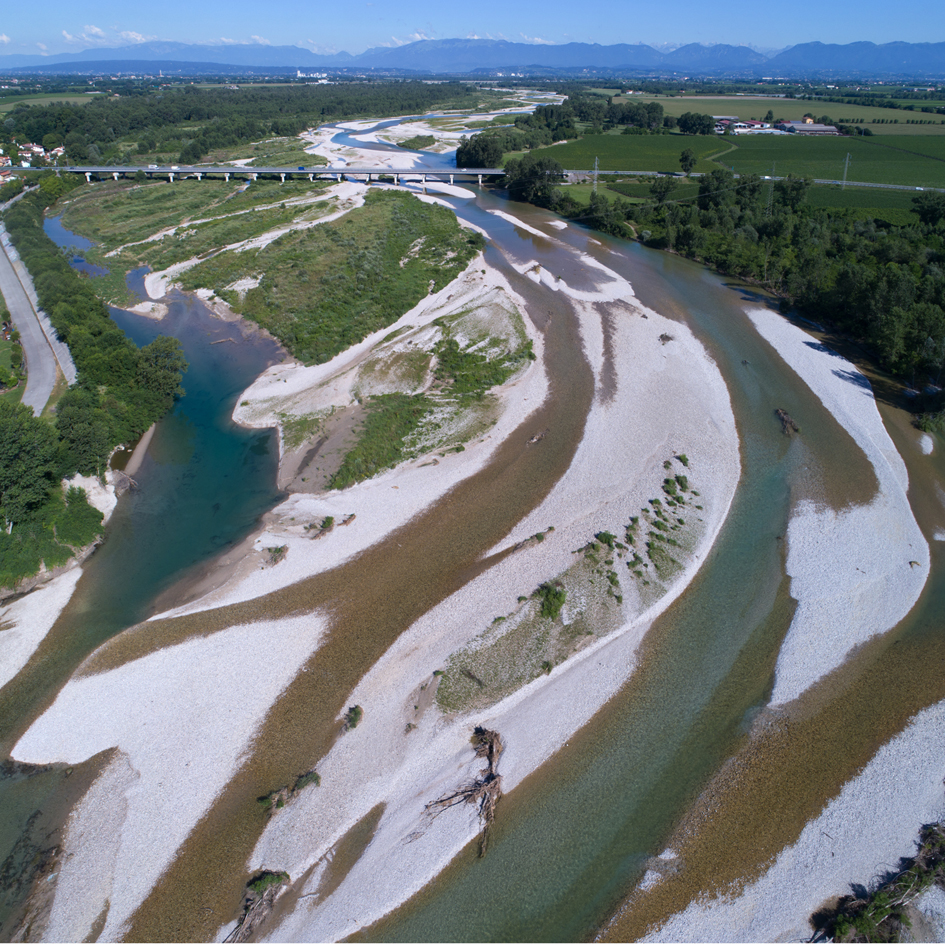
[(119, 393)]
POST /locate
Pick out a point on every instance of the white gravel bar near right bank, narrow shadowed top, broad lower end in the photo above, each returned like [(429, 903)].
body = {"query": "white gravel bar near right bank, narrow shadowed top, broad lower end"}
[(855, 573)]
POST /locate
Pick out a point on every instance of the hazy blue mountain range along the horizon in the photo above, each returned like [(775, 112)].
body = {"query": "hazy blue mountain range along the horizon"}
[(472, 56)]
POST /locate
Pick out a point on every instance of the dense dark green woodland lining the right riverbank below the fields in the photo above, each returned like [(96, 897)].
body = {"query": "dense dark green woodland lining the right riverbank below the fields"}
[(882, 284)]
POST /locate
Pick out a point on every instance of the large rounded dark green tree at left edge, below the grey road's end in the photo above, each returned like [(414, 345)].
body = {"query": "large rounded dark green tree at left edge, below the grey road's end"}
[(28, 461)]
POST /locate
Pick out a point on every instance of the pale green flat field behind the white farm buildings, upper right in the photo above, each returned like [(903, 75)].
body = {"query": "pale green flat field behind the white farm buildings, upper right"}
[(789, 109)]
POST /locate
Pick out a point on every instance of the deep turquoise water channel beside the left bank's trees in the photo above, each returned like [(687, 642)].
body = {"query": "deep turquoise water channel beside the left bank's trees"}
[(203, 486)]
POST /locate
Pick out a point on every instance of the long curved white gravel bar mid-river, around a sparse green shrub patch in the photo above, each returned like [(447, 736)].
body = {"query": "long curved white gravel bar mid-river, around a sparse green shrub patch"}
[(660, 387)]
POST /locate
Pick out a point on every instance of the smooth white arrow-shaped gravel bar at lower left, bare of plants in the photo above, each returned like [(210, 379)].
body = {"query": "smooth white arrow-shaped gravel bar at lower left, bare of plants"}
[(181, 719)]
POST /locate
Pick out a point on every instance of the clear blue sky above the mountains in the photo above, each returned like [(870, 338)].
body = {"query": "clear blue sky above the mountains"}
[(57, 26)]
